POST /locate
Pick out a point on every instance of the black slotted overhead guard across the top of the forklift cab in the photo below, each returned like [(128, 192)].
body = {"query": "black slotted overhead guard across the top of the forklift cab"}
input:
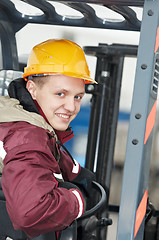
[(89, 19)]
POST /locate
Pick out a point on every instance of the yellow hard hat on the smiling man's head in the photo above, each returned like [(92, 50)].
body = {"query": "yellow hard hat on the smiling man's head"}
[(58, 56)]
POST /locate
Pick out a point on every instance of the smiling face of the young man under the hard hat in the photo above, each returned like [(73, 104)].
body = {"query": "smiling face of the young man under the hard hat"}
[(59, 98)]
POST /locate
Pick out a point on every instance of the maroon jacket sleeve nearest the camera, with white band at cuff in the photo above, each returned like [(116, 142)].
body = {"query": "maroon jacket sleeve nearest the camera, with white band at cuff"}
[(34, 201)]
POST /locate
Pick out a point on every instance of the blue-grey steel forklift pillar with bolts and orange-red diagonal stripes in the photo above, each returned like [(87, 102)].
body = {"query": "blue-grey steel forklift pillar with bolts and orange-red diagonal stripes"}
[(142, 119)]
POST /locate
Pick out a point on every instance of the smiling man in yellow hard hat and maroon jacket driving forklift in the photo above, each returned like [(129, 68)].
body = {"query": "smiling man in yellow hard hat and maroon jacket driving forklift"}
[(39, 179)]
